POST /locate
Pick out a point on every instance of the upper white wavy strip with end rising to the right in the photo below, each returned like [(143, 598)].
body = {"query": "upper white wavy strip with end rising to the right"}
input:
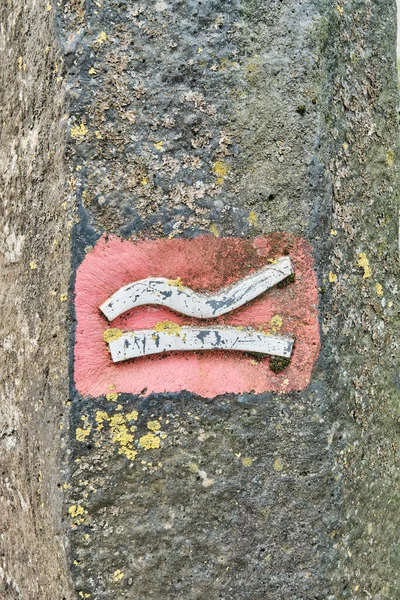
[(184, 300)]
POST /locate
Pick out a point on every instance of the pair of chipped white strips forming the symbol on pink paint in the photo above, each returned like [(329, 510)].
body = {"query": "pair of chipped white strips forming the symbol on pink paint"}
[(182, 299)]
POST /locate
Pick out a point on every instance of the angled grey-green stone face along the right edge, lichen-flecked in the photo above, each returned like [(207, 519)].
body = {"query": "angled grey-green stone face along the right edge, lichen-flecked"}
[(361, 310)]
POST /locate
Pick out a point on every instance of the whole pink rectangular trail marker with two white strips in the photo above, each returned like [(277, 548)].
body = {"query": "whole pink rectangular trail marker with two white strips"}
[(190, 313)]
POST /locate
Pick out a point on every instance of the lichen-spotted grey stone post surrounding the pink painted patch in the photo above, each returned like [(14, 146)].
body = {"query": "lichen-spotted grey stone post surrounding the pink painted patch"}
[(191, 118)]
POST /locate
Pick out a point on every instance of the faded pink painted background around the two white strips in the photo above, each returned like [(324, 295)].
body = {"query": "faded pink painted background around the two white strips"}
[(203, 263)]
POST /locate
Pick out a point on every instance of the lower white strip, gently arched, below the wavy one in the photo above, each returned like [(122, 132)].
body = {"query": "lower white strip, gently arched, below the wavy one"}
[(144, 342)]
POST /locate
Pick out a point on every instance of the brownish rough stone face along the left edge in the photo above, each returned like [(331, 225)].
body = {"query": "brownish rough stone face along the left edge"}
[(34, 273)]
